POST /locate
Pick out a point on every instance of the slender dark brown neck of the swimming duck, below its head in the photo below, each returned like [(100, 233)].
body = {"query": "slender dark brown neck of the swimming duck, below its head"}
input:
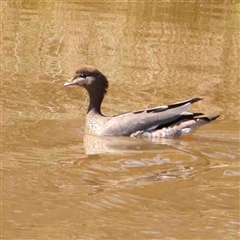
[(95, 98)]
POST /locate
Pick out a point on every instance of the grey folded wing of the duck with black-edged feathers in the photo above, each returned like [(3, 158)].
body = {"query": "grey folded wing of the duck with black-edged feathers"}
[(146, 119)]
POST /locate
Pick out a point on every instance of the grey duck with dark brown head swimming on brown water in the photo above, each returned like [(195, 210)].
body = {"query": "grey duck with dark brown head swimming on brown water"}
[(167, 121)]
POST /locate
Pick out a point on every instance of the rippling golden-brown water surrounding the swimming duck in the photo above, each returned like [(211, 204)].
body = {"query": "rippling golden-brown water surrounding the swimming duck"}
[(58, 183)]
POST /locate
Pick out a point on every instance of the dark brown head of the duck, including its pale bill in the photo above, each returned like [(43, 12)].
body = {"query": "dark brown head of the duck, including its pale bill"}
[(90, 78)]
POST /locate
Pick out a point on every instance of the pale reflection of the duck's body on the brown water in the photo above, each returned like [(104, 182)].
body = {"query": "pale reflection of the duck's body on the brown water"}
[(98, 144)]
